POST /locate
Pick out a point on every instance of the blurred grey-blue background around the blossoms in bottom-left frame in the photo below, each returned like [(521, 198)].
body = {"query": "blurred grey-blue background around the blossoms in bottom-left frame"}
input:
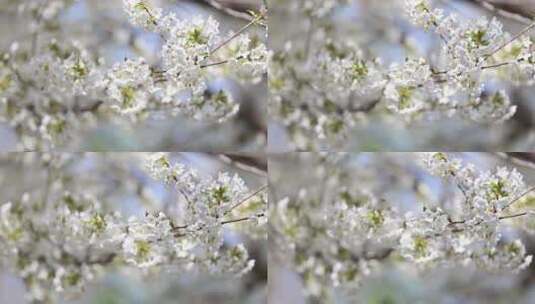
[(119, 181)]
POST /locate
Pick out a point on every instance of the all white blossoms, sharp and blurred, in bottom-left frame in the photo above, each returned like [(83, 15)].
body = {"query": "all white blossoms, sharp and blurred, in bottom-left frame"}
[(62, 243)]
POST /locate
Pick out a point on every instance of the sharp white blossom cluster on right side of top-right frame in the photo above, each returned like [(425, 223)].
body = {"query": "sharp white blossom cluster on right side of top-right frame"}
[(469, 48)]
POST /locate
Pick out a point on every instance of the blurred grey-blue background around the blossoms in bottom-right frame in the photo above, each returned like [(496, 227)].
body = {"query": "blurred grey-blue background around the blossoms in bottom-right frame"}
[(401, 180)]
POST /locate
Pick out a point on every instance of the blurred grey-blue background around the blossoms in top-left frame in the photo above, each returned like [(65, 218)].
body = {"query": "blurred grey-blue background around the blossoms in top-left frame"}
[(103, 25)]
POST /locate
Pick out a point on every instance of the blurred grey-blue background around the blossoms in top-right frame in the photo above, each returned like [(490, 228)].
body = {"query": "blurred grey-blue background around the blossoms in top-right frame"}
[(380, 28)]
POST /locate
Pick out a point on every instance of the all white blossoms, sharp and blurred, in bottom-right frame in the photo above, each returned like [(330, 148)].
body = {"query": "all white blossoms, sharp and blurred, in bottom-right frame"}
[(339, 238)]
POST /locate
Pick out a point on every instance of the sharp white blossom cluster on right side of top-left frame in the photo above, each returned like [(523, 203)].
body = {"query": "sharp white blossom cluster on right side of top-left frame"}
[(190, 47)]
